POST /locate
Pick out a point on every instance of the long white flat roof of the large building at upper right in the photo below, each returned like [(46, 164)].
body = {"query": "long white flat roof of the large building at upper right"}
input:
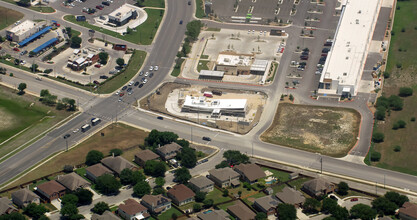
[(346, 59)]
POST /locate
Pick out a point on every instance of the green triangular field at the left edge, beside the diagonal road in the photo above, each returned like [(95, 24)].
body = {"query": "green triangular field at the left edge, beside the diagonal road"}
[(24, 112)]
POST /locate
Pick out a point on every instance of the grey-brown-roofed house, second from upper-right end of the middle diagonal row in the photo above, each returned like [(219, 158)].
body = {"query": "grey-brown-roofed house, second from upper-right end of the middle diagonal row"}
[(224, 177)]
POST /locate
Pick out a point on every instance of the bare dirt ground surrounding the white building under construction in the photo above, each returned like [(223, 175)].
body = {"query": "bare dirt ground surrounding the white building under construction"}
[(156, 102)]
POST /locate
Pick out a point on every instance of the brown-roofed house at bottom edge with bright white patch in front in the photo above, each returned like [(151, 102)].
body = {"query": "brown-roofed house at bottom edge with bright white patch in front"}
[(133, 210)]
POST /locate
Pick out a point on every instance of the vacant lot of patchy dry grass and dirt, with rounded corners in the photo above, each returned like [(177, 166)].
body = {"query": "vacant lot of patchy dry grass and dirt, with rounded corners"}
[(329, 131)]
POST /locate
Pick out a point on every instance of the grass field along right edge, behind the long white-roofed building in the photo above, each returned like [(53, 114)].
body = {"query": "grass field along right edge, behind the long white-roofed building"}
[(403, 50)]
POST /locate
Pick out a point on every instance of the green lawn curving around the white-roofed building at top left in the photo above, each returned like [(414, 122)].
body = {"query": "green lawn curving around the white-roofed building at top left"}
[(145, 32)]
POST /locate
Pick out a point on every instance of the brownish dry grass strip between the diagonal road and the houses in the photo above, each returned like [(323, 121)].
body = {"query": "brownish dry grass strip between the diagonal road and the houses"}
[(115, 136)]
